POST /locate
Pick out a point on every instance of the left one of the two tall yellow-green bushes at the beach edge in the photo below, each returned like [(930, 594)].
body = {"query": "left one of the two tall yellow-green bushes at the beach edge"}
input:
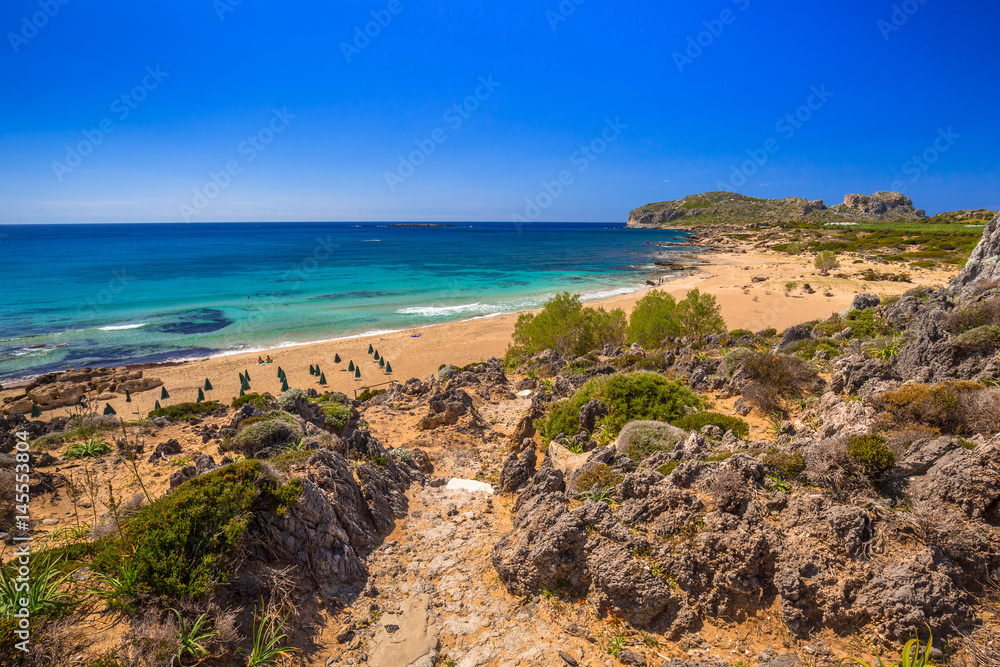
[(565, 326)]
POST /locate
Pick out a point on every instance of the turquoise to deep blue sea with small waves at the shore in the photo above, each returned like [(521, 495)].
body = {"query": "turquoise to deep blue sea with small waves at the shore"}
[(91, 295)]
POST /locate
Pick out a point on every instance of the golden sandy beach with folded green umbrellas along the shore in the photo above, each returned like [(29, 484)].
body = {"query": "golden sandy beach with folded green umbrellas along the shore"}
[(750, 288)]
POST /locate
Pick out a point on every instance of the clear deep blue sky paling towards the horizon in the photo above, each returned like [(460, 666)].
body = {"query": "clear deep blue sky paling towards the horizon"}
[(226, 110)]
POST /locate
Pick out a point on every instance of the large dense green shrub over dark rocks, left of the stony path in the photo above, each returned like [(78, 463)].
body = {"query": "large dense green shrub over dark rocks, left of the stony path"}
[(184, 544)]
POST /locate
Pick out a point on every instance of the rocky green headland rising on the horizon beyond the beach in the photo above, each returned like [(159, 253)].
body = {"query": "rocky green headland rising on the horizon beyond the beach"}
[(731, 208)]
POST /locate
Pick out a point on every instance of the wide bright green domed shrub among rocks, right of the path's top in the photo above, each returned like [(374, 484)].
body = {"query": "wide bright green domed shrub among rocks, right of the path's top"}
[(629, 397)]
